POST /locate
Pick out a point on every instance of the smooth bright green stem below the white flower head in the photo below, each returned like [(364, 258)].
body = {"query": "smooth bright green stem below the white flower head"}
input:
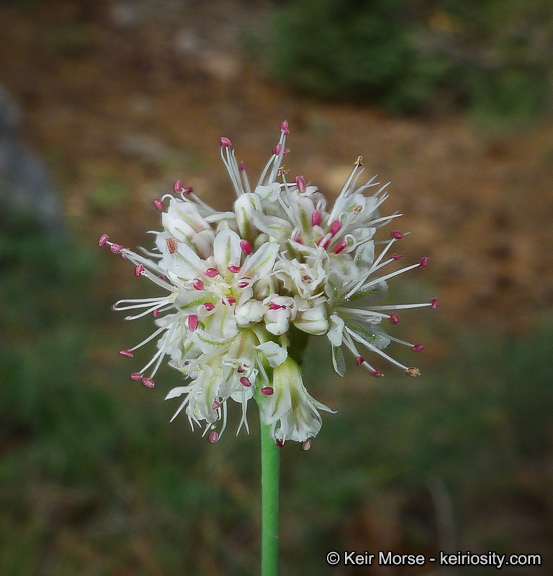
[(270, 459)]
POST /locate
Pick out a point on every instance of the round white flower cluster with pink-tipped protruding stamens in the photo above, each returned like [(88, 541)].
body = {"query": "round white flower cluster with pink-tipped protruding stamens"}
[(237, 284)]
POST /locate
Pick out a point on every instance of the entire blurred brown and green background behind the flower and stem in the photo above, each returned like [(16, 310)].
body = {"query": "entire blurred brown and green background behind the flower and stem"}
[(103, 105)]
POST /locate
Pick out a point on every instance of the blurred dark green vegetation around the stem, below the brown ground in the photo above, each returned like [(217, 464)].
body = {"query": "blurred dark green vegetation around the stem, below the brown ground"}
[(94, 480)]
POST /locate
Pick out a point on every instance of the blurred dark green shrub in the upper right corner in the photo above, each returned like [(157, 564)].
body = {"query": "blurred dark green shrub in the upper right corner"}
[(492, 57)]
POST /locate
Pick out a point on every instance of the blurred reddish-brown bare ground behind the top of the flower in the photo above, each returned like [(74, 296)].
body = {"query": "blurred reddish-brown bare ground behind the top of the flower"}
[(140, 92)]
